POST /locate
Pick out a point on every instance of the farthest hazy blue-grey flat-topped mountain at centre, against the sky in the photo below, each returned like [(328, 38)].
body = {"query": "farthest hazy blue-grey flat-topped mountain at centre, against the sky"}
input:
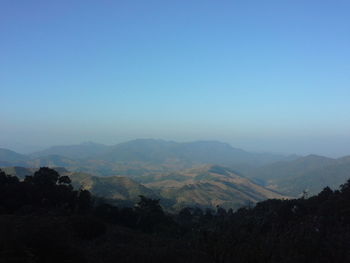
[(171, 153)]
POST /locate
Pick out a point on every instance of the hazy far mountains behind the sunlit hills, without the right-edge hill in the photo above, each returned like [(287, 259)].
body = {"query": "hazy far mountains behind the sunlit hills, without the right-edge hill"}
[(140, 157)]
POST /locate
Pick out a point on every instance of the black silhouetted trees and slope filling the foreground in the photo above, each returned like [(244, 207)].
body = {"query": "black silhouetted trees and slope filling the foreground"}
[(43, 219)]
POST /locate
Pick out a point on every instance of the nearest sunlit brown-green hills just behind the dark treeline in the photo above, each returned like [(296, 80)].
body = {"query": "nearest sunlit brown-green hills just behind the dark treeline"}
[(207, 186)]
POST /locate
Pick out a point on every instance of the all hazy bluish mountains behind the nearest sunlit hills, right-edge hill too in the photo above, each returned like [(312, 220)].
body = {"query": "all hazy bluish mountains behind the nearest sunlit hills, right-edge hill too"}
[(290, 175)]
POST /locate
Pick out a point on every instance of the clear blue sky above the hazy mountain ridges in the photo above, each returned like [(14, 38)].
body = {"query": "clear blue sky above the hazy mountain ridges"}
[(266, 76)]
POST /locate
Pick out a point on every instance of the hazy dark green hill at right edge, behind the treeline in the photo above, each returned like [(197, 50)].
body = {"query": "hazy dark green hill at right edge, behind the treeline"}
[(310, 173)]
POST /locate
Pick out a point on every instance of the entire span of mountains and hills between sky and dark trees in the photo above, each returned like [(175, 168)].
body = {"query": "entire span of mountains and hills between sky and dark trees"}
[(204, 173)]
